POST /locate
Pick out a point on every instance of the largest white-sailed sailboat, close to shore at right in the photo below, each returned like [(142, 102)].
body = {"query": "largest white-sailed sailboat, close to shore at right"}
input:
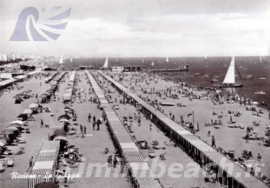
[(229, 80)]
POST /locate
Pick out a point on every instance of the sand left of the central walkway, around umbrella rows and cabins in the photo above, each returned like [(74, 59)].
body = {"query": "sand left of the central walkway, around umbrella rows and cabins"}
[(90, 146)]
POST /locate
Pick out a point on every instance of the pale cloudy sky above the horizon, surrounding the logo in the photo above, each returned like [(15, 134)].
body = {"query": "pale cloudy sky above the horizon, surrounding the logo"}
[(132, 28)]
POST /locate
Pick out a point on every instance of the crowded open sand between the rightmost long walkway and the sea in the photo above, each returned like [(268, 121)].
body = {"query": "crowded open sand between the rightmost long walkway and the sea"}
[(226, 138)]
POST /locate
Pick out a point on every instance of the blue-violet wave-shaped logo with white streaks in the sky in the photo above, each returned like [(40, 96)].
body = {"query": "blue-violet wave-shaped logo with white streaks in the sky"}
[(30, 27)]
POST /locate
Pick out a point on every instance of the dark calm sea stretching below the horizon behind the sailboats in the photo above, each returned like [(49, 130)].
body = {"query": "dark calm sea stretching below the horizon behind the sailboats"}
[(255, 72)]
